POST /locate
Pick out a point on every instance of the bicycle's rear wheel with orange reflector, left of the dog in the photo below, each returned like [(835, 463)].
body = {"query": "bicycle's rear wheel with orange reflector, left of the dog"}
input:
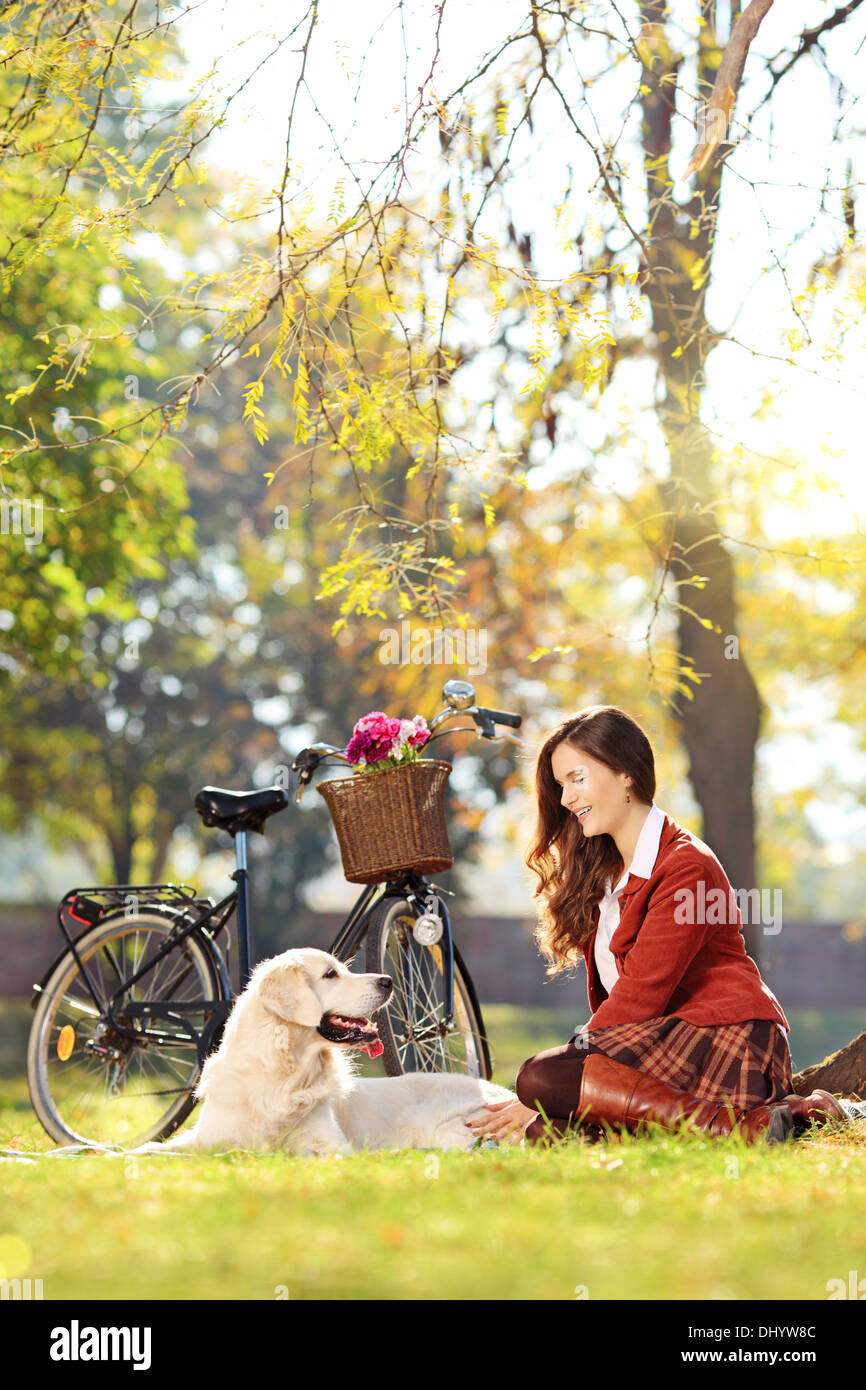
[(91, 1085)]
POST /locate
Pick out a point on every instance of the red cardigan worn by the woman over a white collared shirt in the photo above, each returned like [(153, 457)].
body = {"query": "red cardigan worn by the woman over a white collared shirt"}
[(698, 970)]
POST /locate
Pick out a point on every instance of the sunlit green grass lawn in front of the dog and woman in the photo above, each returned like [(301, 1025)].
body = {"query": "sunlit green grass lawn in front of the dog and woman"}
[(664, 1217)]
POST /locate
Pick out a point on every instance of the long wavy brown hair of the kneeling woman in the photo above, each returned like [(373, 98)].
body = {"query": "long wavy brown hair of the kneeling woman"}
[(572, 867)]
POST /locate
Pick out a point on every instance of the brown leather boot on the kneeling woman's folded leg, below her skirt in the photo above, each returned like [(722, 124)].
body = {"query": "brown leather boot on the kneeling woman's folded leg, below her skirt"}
[(616, 1095)]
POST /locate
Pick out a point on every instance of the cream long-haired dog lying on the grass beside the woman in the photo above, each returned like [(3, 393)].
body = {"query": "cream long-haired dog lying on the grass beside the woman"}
[(283, 1077)]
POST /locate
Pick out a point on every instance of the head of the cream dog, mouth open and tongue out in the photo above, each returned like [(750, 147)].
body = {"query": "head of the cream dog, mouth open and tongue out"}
[(312, 989)]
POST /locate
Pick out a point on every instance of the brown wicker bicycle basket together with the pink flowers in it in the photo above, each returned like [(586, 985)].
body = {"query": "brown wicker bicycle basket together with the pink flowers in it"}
[(394, 822)]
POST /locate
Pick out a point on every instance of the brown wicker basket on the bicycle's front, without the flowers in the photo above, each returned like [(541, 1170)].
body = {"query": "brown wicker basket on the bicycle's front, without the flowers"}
[(391, 822)]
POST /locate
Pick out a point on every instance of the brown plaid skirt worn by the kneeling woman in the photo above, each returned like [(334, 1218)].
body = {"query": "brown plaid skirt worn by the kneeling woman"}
[(747, 1064)]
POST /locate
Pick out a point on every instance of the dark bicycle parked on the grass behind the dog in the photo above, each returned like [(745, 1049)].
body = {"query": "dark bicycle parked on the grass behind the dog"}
[(138, 999)]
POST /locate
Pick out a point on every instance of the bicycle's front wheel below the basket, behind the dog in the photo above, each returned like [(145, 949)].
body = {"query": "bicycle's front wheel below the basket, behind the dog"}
[(412, 1028)]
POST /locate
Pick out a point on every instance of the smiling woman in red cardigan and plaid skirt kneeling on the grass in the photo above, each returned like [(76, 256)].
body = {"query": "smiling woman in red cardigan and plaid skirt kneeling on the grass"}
[(683, 1027)]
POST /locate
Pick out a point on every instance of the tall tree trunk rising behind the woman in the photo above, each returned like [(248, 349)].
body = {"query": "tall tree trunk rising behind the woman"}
[(721, 715)]
